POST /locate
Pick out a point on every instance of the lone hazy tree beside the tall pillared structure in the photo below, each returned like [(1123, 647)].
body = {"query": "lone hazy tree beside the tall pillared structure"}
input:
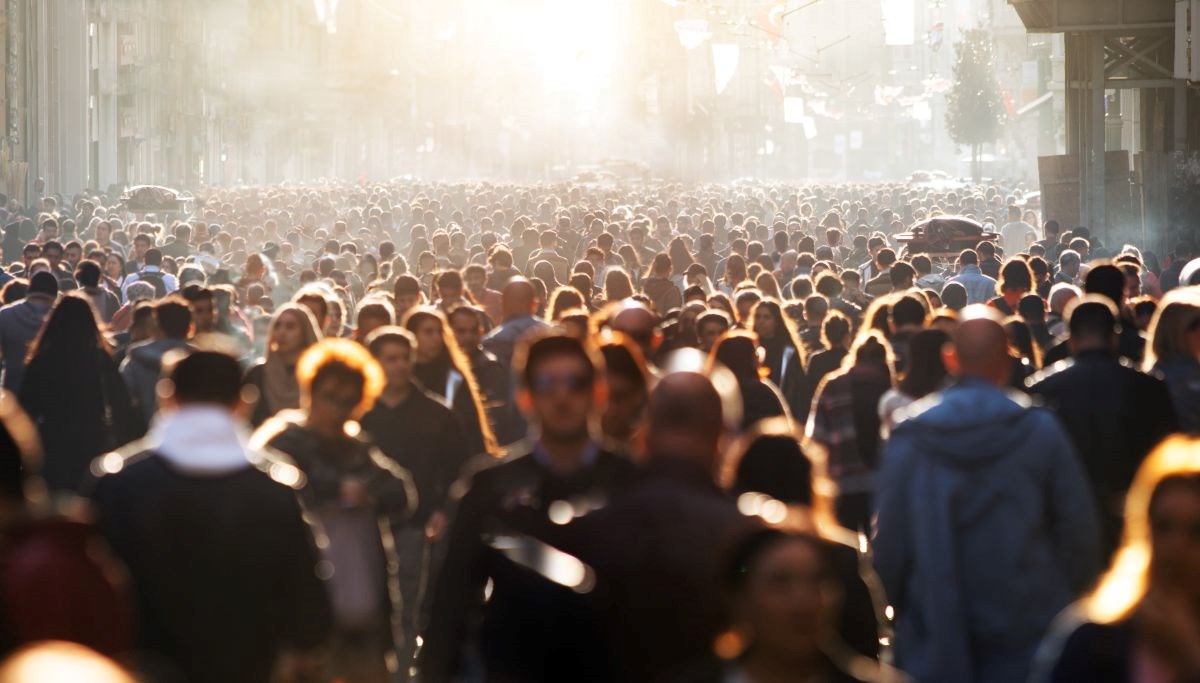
[(975, 112)]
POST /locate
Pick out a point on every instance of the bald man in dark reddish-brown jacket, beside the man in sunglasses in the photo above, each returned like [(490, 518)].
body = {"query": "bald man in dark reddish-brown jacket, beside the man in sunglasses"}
[(657, 548)]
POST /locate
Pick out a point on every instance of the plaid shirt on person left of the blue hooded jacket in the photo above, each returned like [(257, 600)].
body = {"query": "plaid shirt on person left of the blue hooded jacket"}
[(845, 421)]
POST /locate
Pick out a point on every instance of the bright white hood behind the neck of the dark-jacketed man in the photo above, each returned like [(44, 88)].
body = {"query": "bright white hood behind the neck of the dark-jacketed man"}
[(201, 440)]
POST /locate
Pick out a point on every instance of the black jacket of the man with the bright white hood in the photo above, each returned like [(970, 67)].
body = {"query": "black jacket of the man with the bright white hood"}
[(224, 568)]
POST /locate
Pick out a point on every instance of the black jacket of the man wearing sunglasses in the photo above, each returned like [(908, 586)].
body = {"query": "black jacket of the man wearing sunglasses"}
[(530, 630)]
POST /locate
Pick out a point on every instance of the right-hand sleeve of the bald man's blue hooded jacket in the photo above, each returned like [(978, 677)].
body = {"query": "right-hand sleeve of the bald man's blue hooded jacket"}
[(1075, 525)]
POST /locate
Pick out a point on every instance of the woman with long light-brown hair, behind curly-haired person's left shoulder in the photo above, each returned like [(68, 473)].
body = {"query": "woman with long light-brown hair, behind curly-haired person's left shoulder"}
[(292, 332)]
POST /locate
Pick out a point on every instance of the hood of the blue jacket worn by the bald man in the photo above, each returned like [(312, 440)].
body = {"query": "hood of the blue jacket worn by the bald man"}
[(970, 424)]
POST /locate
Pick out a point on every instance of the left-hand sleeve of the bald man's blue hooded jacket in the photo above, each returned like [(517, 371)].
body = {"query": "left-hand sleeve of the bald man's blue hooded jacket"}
[(892, 542)]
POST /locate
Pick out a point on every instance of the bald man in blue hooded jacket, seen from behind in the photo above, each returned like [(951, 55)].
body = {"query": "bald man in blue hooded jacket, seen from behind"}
[(986, 524)]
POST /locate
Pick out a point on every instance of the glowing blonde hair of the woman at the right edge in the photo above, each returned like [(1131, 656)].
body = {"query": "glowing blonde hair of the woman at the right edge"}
[(1124, 586)]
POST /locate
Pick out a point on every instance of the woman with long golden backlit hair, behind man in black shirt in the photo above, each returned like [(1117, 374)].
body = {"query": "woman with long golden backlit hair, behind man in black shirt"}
[(443, 369)]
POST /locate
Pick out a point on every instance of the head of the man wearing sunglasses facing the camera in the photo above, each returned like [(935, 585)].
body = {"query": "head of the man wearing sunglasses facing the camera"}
[(561, 385)]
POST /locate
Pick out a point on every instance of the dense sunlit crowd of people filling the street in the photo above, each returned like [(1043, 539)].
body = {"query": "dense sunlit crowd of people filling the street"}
[(422, 432)]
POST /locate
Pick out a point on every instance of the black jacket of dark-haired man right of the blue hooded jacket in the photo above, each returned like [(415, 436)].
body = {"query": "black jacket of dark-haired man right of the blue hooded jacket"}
[(1115, 417)]
